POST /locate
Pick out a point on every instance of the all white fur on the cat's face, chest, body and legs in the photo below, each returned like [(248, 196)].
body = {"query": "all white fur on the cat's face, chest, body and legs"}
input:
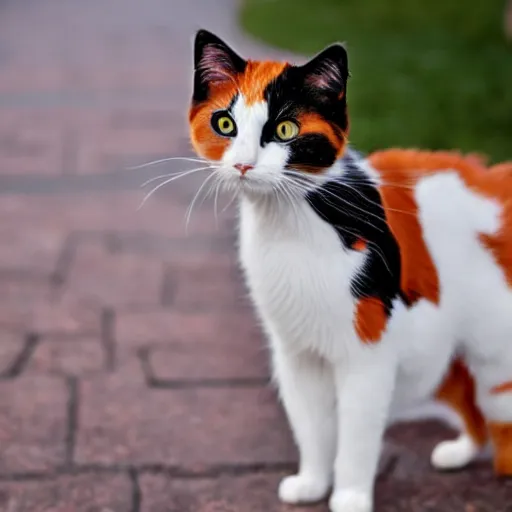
[(337, 391)]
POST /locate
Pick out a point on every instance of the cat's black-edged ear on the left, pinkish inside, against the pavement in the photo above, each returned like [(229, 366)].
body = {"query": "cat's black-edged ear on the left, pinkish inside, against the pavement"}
[(214, 62)]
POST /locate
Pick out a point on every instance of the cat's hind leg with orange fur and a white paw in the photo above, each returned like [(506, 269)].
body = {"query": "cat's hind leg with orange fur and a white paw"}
[(458, 392)]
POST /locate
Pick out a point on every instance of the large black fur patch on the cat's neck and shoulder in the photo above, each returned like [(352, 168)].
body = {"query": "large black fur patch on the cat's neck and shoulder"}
[(351, 204)]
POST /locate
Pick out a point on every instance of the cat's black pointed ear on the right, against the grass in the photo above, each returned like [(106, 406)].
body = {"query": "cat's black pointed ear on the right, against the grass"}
[(327, 72)]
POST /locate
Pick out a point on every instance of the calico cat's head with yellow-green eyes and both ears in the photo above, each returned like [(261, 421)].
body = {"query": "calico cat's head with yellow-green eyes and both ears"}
[(262, 122)]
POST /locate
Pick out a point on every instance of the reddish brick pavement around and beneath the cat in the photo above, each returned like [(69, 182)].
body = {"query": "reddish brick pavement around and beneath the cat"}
[(133, 377)]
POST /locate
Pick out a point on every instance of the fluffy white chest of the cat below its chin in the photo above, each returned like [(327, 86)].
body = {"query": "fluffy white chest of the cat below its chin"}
[(298, 272)]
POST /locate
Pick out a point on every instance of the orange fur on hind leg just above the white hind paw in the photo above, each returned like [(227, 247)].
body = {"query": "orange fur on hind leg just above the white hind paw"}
[(458, 391)]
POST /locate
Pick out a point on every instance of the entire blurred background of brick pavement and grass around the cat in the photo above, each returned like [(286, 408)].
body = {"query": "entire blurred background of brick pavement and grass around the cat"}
[(132, 374)]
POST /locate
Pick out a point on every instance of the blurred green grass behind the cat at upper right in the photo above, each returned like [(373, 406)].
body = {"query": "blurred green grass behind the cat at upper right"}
[(424, 73)]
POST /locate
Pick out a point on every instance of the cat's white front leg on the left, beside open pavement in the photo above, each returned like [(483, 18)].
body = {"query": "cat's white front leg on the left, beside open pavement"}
[(306, 387)]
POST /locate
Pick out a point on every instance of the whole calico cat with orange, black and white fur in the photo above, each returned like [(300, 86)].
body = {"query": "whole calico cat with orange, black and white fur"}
[(380, 281)]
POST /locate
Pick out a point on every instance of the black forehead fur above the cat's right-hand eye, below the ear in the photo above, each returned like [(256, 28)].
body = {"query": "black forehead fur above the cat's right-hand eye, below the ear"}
[(287, 96)]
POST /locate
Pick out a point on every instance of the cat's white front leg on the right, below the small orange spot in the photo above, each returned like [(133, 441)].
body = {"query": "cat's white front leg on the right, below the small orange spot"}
[(365, 386)]
